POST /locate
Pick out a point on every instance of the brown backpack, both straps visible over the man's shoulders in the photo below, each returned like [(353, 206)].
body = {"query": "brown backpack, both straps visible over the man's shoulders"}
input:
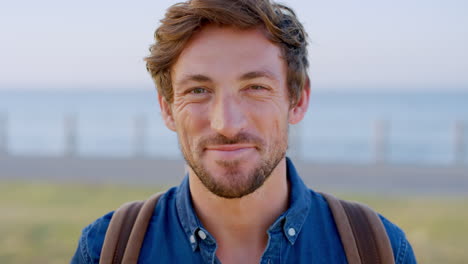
[(361, 232)]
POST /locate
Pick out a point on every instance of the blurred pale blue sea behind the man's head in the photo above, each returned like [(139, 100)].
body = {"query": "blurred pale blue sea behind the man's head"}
[(341, 126)]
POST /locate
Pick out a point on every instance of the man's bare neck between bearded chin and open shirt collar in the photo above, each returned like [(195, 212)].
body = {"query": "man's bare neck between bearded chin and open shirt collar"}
[(240, 225)]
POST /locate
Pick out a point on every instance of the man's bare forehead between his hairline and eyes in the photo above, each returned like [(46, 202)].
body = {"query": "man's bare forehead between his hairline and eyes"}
[(243, 53)]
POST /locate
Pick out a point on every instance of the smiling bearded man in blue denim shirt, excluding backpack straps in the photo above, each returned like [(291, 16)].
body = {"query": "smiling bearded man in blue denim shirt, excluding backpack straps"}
[(231, 77)]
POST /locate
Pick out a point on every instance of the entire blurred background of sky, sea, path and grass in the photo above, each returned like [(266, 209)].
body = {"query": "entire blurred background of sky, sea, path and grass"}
[(81, 131)]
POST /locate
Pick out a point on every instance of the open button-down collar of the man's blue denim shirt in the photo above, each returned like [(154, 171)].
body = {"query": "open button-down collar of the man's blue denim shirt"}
[(292, 219)]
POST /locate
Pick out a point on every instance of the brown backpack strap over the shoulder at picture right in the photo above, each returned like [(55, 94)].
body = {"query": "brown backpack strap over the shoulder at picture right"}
[(362, 233)]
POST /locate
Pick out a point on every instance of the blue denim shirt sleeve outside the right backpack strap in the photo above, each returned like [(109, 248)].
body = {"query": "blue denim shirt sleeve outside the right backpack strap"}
[(402, 250)]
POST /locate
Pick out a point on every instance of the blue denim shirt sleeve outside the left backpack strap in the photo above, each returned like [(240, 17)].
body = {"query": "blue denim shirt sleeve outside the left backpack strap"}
[(91, 241)]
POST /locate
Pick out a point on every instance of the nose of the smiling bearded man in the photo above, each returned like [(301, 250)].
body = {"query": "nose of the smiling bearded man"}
[(227, 116)]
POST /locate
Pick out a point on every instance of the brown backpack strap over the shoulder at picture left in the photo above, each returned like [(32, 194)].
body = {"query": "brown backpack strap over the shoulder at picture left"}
[(126, 231)]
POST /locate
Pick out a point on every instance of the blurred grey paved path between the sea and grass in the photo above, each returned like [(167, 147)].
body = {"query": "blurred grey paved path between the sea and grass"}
[(325, 177)]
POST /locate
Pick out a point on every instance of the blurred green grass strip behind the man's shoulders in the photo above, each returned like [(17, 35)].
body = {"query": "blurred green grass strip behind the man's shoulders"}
[(41, 223)]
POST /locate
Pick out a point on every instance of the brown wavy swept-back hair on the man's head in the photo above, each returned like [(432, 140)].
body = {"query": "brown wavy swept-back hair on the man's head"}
[(182, 20)]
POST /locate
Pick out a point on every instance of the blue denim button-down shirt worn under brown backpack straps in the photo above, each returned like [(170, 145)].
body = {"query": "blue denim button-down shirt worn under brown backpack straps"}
[(305, 233)]
